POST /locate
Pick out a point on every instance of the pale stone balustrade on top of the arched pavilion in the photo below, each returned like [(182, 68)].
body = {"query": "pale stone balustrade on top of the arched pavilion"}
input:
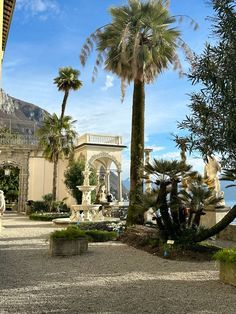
[(99, 139)]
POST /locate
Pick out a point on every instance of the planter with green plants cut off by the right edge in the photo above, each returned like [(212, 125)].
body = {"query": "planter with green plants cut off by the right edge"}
[(227, 261)]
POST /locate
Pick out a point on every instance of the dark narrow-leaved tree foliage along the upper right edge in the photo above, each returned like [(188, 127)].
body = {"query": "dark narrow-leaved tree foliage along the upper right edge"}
[(212, 119)]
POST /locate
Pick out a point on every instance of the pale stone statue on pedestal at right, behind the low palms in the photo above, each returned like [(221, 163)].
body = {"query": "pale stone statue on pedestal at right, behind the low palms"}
[(212, 167)]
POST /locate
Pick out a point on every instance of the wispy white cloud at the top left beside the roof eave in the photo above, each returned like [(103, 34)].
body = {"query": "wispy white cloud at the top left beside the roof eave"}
[(38, 7)]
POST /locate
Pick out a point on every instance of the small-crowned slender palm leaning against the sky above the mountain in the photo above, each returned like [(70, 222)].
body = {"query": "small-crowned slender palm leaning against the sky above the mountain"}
[(67, 81)]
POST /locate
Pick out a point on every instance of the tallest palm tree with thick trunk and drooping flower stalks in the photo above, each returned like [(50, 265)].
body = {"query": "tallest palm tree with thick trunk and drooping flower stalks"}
[(137, 46)]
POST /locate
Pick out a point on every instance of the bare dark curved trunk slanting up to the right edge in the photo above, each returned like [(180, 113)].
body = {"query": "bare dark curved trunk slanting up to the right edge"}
[(228, 218)]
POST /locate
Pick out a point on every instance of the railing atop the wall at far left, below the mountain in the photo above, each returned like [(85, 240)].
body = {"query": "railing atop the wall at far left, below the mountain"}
[(18, 140)]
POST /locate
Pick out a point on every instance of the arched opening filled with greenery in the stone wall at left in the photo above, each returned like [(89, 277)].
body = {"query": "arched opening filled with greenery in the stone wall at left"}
[(9, 184)]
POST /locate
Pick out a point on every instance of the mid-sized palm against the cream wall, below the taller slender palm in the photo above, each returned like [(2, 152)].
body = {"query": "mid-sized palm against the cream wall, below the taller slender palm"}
[(56, 137)]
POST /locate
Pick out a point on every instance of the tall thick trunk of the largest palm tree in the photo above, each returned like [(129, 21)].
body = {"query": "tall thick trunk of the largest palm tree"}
[(137, 143)]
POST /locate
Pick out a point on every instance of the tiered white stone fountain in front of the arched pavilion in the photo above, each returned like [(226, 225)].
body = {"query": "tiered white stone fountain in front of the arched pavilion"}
[(86, 211)]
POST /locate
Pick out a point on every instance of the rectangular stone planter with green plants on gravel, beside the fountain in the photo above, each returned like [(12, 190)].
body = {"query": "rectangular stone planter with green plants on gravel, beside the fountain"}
[(67, 242)]
